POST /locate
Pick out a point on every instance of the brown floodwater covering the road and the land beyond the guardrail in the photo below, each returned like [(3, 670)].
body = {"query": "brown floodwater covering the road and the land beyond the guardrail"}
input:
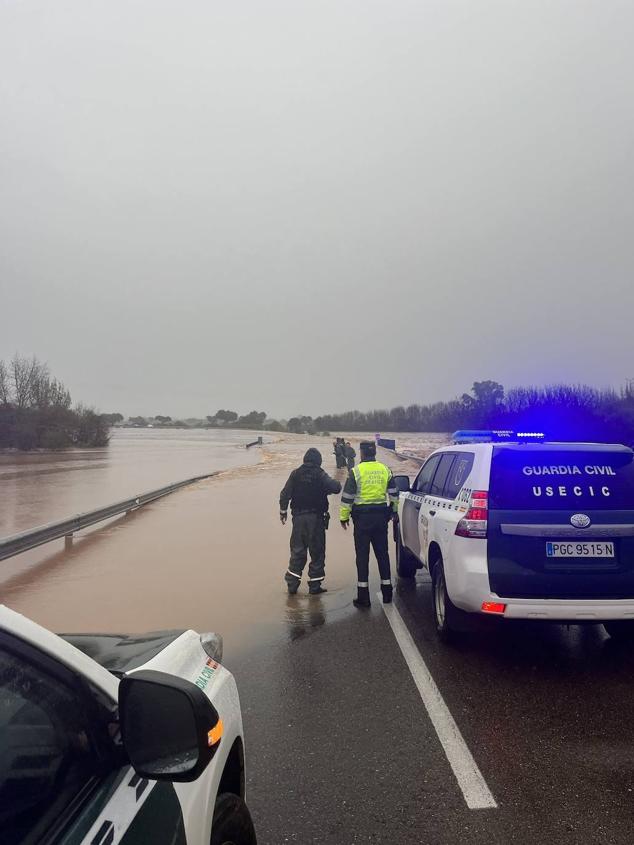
[(210, 556)]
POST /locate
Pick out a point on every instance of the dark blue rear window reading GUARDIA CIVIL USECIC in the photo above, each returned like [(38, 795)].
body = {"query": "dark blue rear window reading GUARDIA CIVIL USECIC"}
[(539, 479)]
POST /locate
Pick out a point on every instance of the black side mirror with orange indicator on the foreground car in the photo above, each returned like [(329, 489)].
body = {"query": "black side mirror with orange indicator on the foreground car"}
[(170, 729)]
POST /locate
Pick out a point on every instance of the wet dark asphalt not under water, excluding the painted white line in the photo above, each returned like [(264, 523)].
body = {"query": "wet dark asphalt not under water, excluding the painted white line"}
[(341, 749)]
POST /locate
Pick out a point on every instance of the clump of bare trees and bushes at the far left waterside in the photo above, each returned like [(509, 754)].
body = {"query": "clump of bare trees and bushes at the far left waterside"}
[(36, 412)]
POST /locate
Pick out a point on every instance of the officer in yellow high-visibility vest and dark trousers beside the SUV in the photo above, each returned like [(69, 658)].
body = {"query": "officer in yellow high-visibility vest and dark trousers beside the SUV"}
[(365, 495)]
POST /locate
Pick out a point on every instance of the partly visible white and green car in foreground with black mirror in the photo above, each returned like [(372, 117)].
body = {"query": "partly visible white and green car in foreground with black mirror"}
[(114, 739)]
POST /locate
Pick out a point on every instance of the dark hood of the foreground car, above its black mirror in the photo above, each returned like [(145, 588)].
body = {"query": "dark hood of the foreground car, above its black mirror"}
[(120, 653)]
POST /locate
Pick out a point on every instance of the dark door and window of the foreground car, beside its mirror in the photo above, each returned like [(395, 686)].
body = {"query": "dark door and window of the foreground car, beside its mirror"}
[(61, 774)]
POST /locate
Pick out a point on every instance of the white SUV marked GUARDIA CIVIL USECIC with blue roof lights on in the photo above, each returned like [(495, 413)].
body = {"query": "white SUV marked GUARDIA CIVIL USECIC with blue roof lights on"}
[(513, 526)]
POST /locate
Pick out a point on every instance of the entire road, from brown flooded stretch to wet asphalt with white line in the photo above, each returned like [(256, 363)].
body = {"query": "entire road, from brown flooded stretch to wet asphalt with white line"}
[(361, 727)]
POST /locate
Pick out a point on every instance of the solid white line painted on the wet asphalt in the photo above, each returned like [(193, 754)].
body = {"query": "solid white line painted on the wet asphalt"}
[(474, 788)]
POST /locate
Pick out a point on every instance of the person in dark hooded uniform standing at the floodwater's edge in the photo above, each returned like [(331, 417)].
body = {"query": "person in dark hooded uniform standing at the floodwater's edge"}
[(307, 490)]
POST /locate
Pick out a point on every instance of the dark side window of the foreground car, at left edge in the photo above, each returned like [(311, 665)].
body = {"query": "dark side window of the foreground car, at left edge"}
[(46, 754)]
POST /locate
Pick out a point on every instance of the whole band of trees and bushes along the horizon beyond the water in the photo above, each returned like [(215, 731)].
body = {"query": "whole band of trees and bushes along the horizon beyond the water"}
[(36, 413)]
